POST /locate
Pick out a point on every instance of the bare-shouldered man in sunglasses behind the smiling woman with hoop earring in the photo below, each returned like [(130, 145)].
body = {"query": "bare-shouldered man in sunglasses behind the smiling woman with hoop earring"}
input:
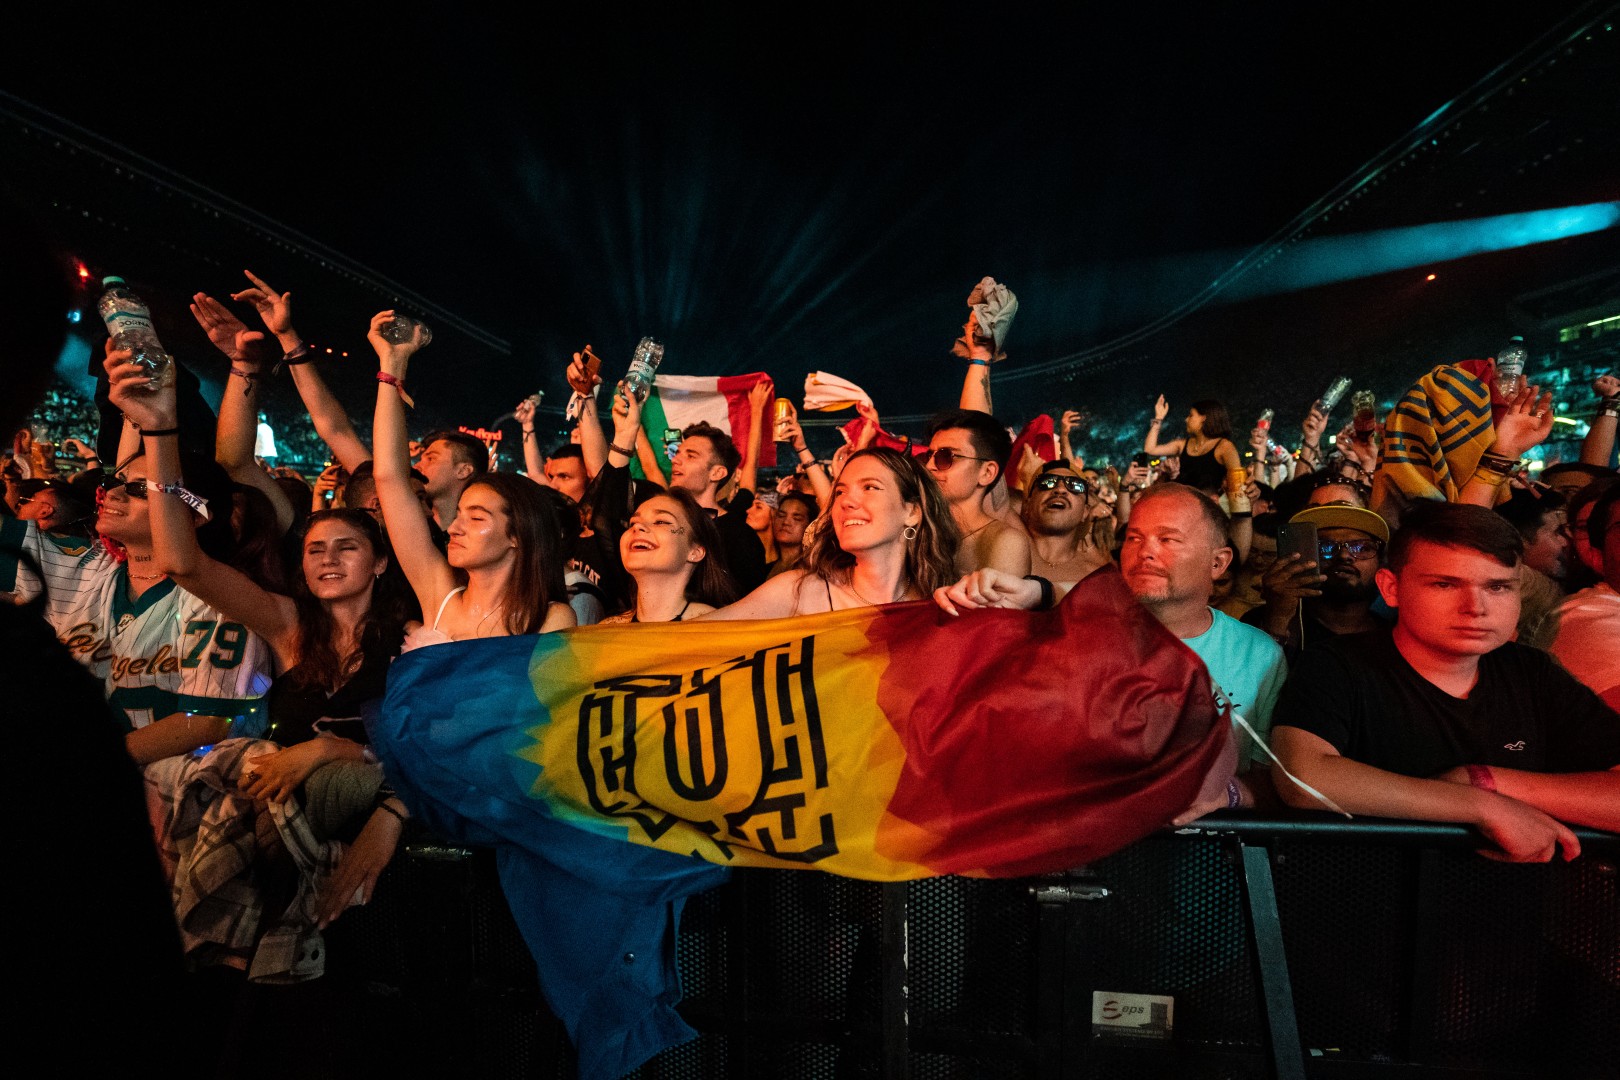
[(966, 454)]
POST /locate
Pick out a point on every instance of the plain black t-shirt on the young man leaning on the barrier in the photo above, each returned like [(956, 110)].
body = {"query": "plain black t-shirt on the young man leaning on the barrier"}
[(1360, 695)]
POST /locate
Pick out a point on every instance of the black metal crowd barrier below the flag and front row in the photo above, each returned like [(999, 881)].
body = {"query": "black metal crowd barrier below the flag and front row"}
[(1289, 948)]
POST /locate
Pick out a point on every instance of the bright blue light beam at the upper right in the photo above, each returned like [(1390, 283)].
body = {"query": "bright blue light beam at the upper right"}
[(1331, 260)]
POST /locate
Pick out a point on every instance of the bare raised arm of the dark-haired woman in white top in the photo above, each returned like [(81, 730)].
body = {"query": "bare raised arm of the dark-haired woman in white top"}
[(425, 568)]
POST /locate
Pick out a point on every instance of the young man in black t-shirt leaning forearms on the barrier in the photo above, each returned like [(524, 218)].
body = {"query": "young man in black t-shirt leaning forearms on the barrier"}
[(1444, 718)]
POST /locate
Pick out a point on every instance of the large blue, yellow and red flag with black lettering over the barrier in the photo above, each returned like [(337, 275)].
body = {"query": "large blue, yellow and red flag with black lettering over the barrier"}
[(620, 767)]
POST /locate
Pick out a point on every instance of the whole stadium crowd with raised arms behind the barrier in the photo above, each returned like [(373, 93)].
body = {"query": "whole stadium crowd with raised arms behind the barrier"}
[(1404, 623)]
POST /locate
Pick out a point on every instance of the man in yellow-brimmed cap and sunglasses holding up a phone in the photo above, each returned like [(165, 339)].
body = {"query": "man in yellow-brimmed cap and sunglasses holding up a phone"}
[(1307, 605)]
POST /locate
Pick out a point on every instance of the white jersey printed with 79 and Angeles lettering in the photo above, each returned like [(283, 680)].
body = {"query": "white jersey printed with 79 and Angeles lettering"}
[(163, 653)]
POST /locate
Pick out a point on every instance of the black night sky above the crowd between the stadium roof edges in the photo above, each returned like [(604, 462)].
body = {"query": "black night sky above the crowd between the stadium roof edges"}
[(787, 190)]
